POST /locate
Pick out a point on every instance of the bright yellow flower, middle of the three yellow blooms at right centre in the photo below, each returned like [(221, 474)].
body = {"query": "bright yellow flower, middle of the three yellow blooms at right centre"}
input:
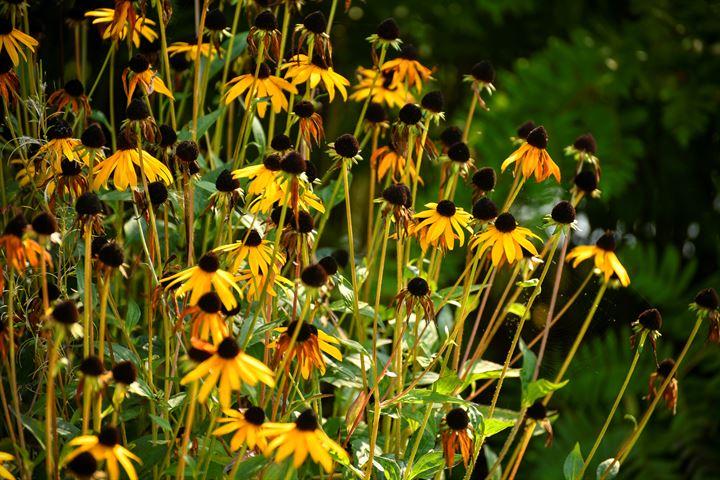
[(505, 239)]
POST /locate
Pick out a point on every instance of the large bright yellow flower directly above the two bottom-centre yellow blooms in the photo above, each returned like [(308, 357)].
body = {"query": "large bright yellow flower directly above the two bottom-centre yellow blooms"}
[(230, 367)]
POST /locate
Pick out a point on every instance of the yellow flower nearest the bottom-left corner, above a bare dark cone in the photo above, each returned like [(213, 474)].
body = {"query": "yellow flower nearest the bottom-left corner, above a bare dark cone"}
[(107, 446)]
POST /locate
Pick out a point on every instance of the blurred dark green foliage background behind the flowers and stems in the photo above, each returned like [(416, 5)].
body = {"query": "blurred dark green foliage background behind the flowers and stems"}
[(643, 77)]
